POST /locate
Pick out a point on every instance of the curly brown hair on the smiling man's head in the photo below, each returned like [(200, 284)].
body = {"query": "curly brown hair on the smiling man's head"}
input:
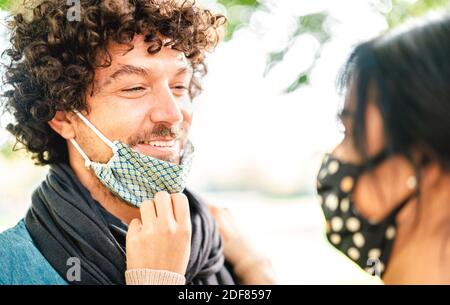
[(53, 60)]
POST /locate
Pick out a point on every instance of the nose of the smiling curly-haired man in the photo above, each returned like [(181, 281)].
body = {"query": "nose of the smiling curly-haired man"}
[(166, 108)]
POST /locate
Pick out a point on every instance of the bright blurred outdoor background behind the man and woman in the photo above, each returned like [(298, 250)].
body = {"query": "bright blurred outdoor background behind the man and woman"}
[(267, 114)]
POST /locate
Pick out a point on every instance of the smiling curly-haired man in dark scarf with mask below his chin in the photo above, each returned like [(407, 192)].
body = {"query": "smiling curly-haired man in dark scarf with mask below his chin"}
[(105, 101)]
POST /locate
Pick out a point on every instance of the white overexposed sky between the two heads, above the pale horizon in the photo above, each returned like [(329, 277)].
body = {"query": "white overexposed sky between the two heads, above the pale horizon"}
[(248, 133)]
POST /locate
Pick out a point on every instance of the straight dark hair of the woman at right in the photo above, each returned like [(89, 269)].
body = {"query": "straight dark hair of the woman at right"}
[(409, 72)]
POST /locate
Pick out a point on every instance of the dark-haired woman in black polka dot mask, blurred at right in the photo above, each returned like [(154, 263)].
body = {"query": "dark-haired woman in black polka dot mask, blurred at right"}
[(385, 189)]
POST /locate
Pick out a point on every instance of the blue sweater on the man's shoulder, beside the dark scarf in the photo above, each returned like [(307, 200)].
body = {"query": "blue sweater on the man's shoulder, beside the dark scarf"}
[(21, 263)]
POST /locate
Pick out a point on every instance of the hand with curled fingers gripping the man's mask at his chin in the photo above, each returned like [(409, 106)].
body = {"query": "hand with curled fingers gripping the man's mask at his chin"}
[(161, 240)]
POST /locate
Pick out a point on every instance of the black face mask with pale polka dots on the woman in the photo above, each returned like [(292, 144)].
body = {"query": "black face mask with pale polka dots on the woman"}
[(367, 243)]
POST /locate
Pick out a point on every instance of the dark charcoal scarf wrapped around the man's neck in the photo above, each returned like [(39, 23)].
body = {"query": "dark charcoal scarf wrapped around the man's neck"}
[(65, 221)]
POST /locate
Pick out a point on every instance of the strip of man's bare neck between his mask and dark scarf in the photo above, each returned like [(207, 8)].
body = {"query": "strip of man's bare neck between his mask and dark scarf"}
[(101, 194)]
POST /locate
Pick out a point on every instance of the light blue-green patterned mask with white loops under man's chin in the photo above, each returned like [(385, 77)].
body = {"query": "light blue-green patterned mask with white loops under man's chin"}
[(136, 177)]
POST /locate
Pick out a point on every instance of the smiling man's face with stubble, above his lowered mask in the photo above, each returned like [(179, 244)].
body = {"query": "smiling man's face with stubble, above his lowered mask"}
[(142, 100)]
